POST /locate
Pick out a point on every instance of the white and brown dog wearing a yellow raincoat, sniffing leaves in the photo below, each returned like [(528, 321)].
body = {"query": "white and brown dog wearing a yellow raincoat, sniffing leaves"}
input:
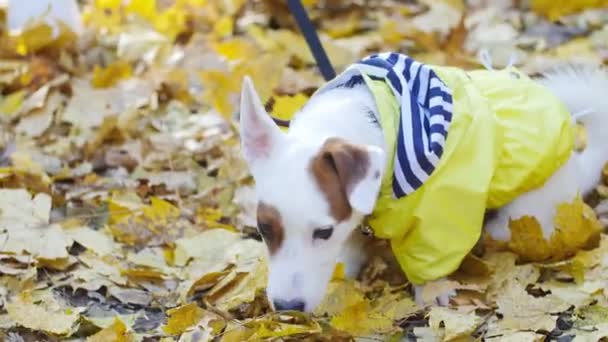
[(333, 169)]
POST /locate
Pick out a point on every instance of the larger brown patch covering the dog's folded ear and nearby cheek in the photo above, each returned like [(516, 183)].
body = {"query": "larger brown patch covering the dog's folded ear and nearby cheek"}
[(338, 167)]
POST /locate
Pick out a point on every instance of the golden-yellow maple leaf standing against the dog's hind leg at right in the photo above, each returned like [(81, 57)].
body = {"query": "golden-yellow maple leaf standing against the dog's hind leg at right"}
[(576, 228)]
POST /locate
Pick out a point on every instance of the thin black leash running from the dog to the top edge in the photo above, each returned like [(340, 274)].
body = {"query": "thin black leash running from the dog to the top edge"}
[(314, 44)]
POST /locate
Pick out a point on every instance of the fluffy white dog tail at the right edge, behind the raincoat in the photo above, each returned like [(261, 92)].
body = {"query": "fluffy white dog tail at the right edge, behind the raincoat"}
[(584, 91)]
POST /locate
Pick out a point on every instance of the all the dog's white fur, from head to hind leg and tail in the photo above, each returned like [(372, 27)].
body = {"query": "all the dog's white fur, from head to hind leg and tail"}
[(302, 267)]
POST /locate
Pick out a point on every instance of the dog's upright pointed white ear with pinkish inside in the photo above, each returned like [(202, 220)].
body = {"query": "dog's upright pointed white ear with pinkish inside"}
[(259, 134)]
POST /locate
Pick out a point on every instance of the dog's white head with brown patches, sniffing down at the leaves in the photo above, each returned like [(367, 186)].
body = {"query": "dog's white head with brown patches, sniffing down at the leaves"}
[(311, 196)]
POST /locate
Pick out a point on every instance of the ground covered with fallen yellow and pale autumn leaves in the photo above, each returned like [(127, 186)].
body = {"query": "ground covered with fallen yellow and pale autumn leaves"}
[(127, 214)]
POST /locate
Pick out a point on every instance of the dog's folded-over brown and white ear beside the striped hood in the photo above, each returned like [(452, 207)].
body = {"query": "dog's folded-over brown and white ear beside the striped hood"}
[(359, 171)]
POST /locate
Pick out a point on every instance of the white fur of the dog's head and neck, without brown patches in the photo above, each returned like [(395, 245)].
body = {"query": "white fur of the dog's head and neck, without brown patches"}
[(302, 267)]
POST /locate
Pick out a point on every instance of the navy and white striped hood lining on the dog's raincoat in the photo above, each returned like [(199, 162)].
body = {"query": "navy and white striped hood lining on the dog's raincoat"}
[(426, 114)]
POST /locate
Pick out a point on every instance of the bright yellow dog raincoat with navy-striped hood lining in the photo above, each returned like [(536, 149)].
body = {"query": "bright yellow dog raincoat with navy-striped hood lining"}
[(487, 136)]
